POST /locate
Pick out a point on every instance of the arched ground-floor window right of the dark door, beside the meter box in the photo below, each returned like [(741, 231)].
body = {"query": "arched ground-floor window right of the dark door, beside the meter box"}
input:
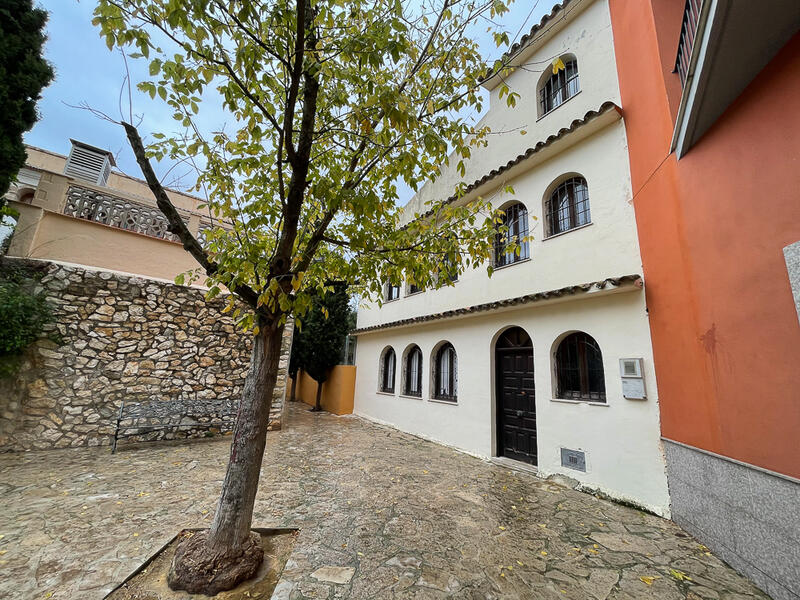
[(579, 369)]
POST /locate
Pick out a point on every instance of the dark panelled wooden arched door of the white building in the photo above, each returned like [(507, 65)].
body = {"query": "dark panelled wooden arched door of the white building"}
[(515, 396)]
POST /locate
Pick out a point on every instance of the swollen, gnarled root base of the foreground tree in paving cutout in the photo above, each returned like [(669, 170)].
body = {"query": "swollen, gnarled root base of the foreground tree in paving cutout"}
[(198, 569)]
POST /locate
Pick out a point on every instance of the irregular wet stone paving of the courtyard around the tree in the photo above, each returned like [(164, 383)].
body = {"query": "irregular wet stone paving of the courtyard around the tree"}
[(382, 515)]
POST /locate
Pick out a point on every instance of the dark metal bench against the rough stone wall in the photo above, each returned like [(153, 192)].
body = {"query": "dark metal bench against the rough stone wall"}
[(139, 418)]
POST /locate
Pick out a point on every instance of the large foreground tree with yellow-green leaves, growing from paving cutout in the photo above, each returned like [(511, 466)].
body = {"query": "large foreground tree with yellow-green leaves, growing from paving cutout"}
[(332, 102)]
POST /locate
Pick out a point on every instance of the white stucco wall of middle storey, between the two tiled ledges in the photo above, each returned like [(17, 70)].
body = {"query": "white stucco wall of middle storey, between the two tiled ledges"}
[(606, 248)]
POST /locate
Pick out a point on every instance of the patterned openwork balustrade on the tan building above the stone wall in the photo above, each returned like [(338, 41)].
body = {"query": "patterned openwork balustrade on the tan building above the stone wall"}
[(92, 205)]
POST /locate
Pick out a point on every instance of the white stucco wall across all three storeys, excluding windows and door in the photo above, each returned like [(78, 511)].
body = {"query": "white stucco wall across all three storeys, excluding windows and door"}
[(621, 438)]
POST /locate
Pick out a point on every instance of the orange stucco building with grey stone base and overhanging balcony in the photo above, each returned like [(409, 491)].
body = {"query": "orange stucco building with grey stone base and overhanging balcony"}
[(711, 101)]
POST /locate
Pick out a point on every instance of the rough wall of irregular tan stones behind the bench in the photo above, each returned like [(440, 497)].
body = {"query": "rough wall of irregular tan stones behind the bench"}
[(123, 338)]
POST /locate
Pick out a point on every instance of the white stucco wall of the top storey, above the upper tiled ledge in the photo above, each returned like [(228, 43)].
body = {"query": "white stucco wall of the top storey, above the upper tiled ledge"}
[(585, 32)]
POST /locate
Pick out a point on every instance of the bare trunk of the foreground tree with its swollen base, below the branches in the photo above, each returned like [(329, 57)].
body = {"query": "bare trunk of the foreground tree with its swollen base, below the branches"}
[(229, 552)]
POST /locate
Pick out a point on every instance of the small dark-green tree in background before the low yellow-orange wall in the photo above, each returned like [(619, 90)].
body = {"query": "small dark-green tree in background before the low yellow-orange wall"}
[(322, 335)]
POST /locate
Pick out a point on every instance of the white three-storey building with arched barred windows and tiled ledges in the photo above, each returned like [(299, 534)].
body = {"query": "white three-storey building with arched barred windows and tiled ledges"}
[(526, 365)]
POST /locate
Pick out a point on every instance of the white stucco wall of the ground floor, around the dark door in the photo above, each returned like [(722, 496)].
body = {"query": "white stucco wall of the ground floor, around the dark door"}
[(620, 438)]
